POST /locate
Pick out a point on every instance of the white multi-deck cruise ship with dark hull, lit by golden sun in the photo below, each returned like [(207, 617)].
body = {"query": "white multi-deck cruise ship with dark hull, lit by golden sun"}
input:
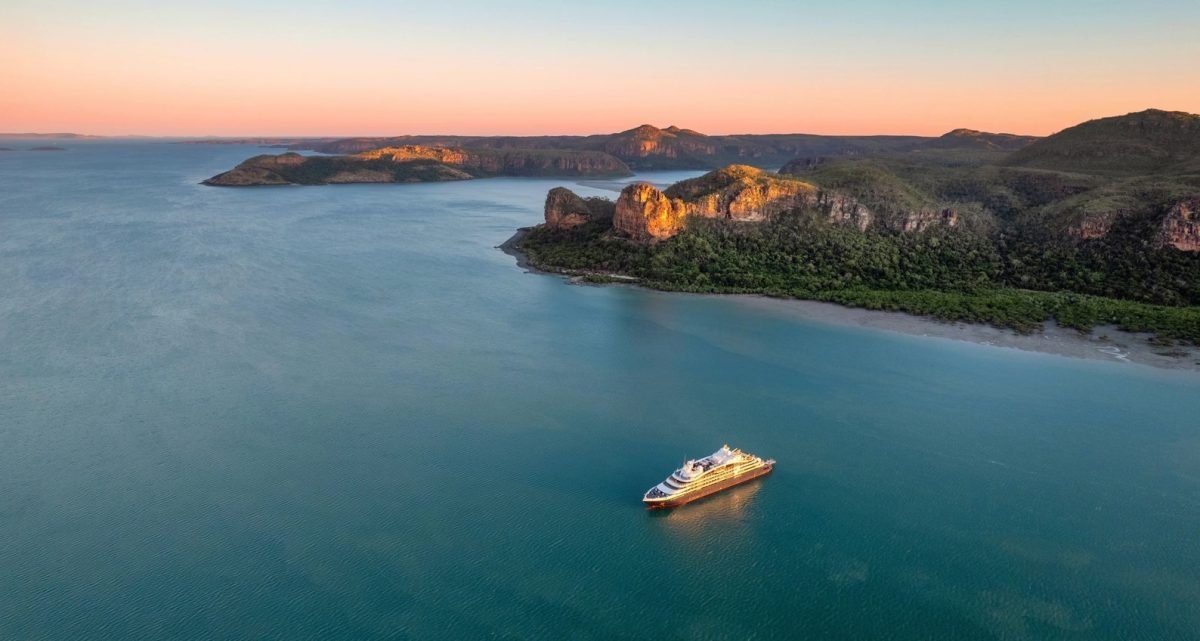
[(713, 474)]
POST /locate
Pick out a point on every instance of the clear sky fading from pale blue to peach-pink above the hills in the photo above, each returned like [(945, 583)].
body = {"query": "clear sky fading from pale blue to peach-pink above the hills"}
[(359, 68)]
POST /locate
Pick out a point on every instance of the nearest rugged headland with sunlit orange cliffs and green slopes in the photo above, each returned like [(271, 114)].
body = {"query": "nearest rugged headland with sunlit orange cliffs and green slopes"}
[(1096, 225)]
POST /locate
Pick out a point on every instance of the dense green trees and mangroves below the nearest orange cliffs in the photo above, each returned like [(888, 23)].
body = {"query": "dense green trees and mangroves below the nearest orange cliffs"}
[(952, 274)]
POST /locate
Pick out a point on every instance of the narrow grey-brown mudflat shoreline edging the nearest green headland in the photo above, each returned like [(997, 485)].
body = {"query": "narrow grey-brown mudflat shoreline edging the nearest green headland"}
[(1105, 343)]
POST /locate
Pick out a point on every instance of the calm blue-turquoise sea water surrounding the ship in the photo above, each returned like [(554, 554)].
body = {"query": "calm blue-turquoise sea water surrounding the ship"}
[(341, 414)]
